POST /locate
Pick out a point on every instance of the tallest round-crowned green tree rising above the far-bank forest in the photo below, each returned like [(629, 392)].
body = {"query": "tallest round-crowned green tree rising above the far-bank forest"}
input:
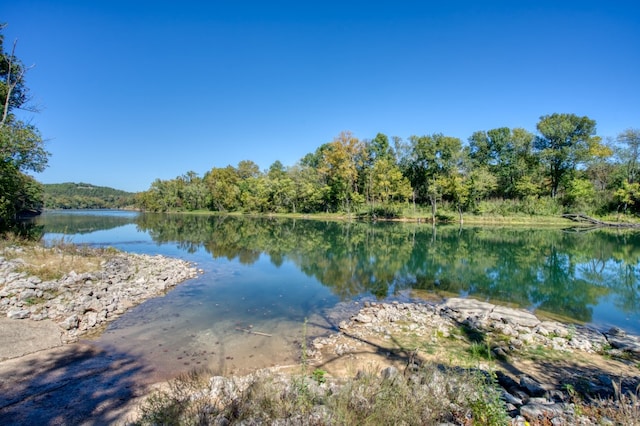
[(565, 141)]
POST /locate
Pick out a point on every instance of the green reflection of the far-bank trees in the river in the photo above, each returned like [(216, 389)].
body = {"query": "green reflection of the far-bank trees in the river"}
[(563, 273)]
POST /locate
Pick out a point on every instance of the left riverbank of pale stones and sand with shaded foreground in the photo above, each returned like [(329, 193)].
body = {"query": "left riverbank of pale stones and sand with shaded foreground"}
[(50, 299)]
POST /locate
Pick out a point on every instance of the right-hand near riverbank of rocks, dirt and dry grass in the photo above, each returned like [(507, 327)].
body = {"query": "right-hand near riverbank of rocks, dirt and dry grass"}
[(459, 361)]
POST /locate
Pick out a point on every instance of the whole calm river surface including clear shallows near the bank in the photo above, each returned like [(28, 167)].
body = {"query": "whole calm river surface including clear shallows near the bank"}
[(268, 275)]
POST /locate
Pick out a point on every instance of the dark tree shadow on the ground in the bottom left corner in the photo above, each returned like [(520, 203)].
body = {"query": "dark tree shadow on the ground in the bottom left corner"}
[(73, 384)]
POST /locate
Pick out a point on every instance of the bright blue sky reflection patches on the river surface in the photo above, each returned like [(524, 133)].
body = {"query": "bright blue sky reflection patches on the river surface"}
[(249, 292)]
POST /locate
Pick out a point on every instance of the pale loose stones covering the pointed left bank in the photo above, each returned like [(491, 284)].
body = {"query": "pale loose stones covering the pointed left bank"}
[(80, 303)]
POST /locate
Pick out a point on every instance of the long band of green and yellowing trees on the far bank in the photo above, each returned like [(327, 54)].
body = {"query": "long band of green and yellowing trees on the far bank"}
[(562, 167)]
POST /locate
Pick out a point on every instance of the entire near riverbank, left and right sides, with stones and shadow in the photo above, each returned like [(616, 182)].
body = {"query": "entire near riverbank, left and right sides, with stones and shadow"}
[(545, 371)]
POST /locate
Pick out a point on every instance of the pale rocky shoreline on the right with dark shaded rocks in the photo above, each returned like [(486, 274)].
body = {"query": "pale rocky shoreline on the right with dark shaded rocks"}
[(507, 333)]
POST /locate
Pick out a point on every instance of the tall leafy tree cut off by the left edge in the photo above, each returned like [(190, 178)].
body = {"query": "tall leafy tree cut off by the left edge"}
[(21, 145)]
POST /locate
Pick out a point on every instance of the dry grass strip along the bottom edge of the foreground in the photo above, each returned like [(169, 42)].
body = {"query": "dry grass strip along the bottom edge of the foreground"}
[(430, 396)]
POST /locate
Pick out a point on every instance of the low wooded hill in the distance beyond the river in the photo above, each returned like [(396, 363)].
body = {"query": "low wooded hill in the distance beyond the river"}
[(84, 196)]
